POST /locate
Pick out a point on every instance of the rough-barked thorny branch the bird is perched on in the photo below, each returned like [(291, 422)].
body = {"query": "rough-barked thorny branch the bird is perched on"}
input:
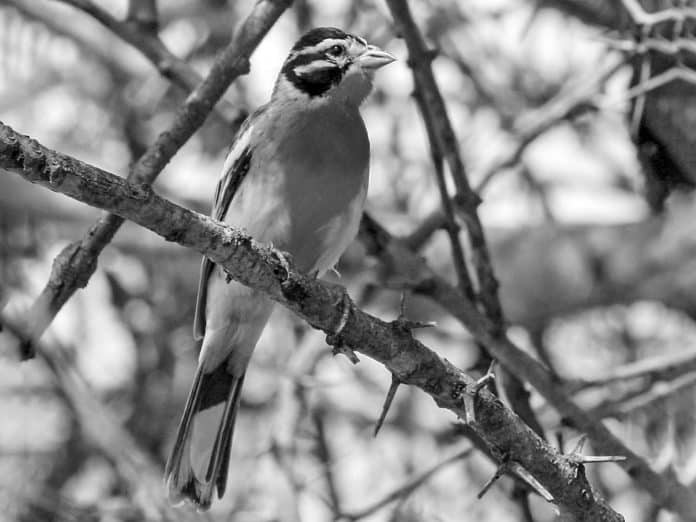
[(320, 304)]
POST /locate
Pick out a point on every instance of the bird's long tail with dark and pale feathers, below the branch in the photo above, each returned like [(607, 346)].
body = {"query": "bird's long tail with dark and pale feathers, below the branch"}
[(200, 457)]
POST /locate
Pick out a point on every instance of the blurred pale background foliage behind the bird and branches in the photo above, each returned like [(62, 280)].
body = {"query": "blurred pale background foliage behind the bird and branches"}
[(589, 217)]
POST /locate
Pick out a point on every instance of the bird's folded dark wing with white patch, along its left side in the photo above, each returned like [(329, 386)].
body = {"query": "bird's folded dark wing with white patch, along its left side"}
[(234, 171)]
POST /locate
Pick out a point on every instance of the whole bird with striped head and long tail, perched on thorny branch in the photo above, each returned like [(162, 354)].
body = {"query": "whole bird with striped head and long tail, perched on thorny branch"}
[(295, 177)]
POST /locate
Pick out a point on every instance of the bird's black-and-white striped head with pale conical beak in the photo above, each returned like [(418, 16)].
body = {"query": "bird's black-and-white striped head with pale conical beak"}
[(327, 64)]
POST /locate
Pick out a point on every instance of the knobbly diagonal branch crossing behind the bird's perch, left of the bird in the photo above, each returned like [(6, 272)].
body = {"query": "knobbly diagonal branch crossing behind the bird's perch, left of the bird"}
[(75, 265)]
